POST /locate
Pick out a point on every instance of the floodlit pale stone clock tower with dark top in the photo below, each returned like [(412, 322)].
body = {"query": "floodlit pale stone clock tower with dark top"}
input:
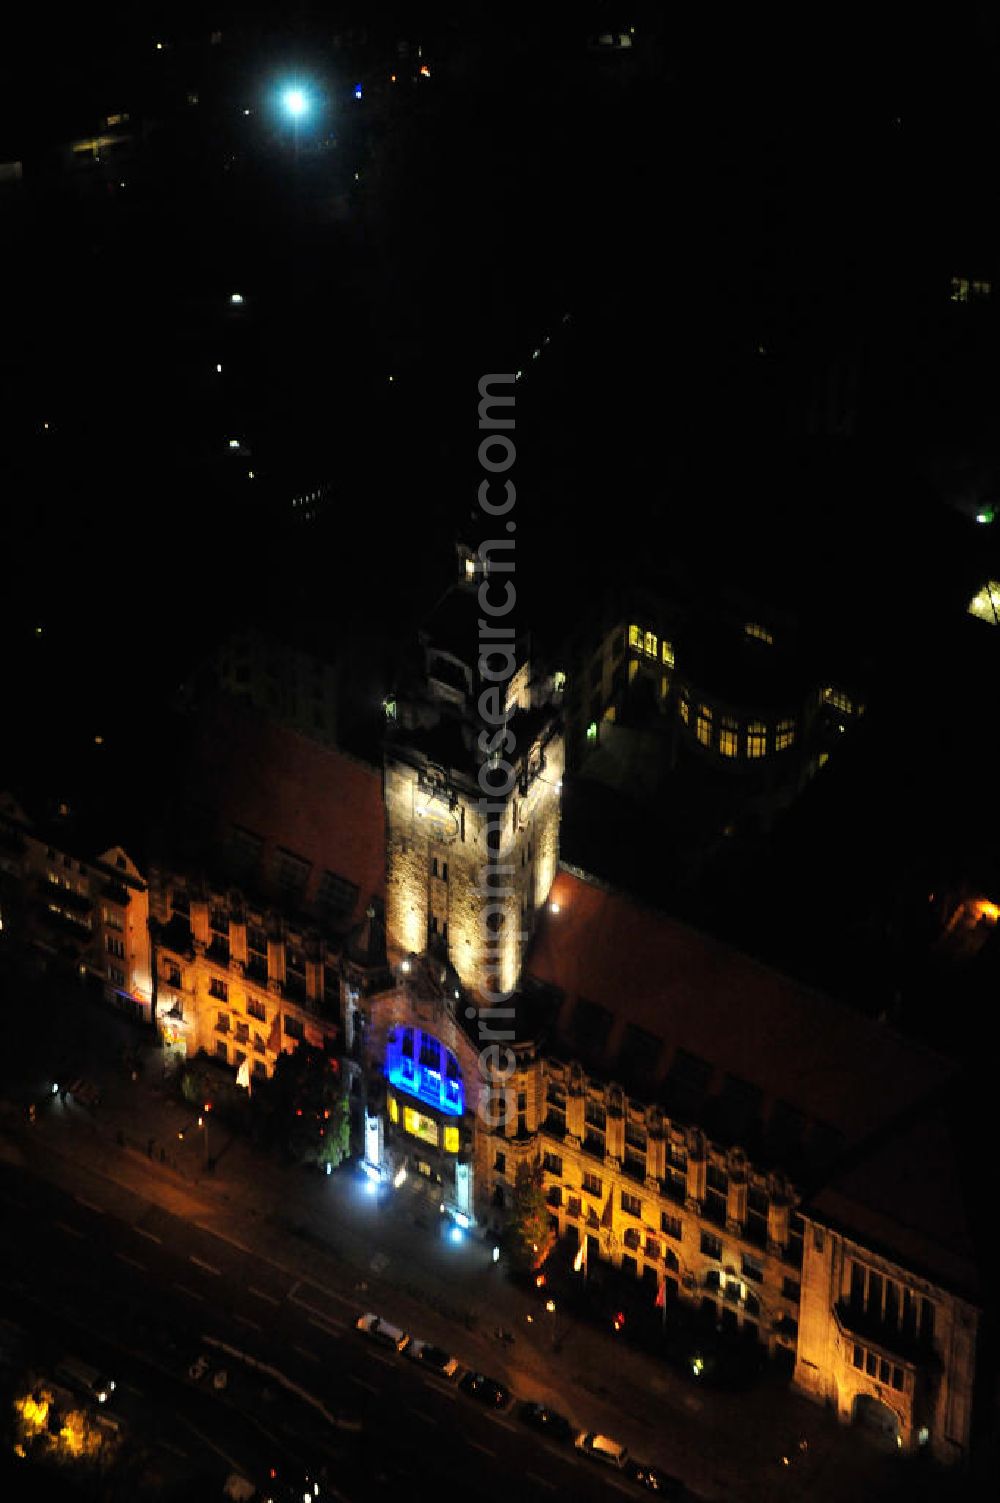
[(447, 894)]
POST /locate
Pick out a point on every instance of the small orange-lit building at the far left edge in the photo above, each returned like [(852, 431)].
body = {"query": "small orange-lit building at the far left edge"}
[(89, 913)]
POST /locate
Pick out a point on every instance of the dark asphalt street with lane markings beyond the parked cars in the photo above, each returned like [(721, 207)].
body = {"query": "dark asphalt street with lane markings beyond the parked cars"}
[(142, 1298)]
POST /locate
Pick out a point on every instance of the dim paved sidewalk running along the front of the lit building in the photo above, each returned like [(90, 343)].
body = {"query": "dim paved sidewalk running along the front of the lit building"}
[(333, 1232)]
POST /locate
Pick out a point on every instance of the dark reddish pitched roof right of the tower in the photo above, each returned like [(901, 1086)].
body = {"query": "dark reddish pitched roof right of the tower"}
[(698, 1026)]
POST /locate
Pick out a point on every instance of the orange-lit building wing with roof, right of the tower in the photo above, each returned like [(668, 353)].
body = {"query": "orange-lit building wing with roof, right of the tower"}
[(677, 1146)]
